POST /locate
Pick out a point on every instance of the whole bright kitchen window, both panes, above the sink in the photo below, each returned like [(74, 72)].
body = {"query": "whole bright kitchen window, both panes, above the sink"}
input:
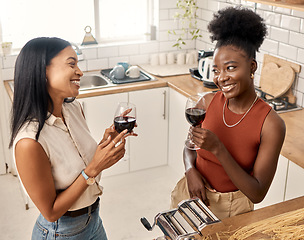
[(115, 20)]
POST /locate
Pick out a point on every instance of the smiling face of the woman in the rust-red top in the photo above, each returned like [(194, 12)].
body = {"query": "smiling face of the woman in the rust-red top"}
[(232, 70)]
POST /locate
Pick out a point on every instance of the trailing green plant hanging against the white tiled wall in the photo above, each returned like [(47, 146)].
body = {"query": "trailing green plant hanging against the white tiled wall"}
[(188, 23)]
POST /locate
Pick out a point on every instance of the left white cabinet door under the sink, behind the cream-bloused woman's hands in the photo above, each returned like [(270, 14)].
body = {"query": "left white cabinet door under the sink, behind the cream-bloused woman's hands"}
[(99, 112)]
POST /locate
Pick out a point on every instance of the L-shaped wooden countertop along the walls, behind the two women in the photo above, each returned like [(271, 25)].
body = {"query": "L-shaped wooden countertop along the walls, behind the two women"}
[(186, 85)]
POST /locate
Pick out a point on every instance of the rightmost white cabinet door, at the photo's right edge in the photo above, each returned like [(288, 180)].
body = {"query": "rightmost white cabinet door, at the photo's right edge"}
[(294, 183)]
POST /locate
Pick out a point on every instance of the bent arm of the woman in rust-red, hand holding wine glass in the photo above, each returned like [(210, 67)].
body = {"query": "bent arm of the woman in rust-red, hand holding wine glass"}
[(254, 186)]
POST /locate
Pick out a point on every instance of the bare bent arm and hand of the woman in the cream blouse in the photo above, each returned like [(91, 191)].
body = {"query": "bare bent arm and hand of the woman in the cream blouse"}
[(35, 171)]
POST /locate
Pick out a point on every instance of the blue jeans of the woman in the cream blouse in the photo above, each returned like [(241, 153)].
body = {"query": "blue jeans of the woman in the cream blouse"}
[(86, 226)]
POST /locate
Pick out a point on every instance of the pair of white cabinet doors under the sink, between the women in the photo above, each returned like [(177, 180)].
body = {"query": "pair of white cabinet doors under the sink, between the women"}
[(150, 147)]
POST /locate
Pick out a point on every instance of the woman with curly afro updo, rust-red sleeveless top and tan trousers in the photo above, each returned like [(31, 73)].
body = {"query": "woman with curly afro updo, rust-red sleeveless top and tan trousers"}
[(241, 137)]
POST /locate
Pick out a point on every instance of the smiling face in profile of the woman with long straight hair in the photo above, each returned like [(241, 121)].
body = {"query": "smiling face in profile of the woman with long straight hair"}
[(63, 75)]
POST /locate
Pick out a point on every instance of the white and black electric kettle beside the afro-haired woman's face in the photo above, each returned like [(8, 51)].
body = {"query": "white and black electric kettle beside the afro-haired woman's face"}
[(205, 59)]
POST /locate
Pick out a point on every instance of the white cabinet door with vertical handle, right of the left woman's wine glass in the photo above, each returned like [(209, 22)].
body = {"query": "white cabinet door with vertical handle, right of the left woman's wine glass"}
[(150, 147)]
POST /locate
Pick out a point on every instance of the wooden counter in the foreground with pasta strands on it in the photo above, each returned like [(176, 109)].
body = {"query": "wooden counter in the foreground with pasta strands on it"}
[(229, 225)]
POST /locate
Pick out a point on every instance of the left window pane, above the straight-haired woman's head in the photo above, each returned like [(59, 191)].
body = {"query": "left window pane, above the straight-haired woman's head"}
[(23, 20)]
